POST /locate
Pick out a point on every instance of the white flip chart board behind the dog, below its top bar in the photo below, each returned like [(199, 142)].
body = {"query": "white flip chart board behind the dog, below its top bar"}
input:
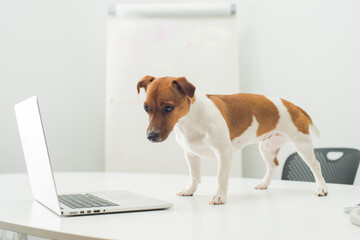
[(203, 49)]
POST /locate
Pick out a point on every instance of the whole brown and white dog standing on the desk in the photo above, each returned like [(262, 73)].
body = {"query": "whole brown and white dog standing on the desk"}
[(214, 126)]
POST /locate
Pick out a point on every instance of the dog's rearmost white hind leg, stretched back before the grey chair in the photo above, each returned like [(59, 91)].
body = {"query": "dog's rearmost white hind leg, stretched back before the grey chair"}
[(303, 145)]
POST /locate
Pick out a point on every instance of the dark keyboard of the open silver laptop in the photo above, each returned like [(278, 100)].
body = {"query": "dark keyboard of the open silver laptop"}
[(84, 201)]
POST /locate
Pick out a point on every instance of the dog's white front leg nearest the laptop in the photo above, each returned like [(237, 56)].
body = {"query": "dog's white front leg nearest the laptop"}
[(194, 164)]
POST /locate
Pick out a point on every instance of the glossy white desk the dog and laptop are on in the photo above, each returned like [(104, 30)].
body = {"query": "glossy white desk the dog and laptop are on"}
[(287, 210)]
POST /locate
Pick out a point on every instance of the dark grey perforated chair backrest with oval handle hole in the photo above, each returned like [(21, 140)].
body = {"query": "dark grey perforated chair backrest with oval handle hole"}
[(341, 170)]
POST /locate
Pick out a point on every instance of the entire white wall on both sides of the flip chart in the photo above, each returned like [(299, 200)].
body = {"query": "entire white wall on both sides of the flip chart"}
[(304, 51)]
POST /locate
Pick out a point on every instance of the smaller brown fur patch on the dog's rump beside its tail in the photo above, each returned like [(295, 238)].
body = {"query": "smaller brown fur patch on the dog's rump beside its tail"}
[(299, 117)]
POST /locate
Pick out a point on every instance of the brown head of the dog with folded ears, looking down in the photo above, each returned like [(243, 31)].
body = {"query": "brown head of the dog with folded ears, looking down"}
[(167, 100)]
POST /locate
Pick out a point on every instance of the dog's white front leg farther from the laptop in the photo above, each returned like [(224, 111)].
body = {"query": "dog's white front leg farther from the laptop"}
[(224, 158)]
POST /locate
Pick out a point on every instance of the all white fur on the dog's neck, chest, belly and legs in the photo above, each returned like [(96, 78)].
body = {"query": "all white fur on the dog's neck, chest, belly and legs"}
[(203, 133)]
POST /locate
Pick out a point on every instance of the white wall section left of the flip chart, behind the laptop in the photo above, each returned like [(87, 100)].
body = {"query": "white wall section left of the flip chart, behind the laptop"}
[(55, 50)]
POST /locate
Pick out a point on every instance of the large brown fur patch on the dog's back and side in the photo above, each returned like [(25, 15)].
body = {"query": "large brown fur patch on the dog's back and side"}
[(238, 111)]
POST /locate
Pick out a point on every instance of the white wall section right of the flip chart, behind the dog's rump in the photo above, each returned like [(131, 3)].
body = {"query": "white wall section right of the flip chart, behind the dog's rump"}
[(306, 52)]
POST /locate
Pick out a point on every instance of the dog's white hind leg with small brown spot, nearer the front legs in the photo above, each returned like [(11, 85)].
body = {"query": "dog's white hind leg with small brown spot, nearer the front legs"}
[(269, 149)]
